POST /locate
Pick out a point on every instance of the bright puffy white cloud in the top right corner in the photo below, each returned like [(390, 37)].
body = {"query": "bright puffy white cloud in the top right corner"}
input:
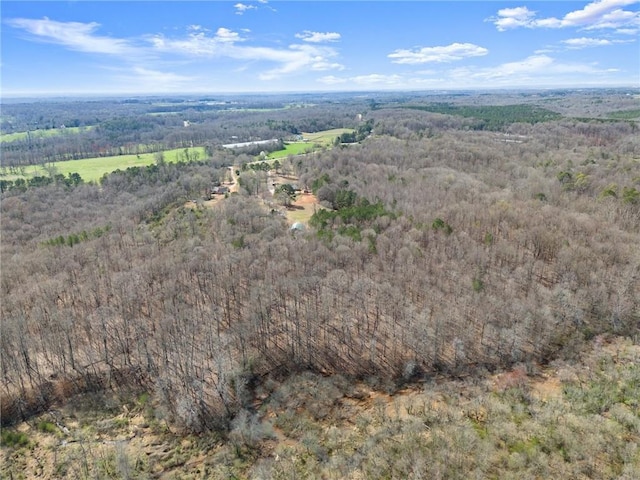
[(599, 14)]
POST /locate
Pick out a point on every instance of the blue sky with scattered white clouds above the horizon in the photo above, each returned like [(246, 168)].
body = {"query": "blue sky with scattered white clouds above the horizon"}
[(183, 47)]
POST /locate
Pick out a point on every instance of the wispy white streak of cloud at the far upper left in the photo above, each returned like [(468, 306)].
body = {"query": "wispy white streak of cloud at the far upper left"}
[(73, 35)]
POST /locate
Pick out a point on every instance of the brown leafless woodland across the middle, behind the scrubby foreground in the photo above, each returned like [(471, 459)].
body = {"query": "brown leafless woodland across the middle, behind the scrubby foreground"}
[(489, 248)]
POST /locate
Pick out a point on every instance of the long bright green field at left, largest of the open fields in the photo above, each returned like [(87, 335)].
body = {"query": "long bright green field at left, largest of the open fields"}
[(92, 169)]
